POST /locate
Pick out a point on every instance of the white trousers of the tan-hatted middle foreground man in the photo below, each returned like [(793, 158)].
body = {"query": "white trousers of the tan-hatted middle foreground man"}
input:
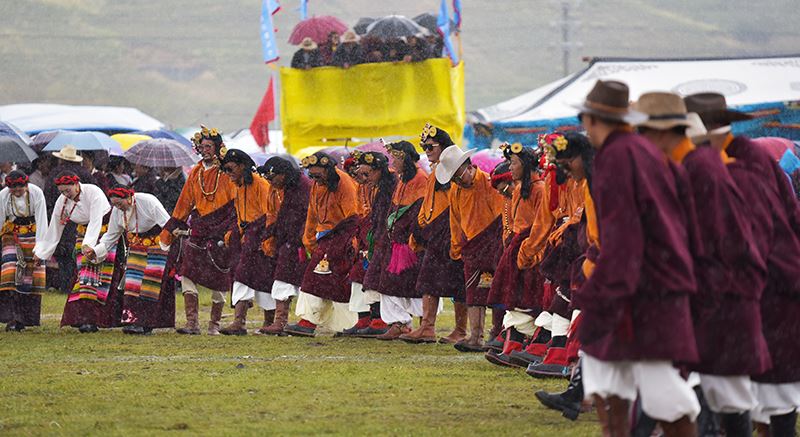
[(728, 394)]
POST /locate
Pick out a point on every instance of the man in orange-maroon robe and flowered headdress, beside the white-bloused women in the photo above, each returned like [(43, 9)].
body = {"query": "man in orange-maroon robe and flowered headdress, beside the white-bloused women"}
[(205, 207)]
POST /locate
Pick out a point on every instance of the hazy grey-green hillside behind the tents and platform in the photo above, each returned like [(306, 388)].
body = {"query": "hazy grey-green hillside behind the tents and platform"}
[(192, 61)]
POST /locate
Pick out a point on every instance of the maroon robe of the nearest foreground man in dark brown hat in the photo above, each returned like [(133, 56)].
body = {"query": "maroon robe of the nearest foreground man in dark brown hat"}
[(635, 305)]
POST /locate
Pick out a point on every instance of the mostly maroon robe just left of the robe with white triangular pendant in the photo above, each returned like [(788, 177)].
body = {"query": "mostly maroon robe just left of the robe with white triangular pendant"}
[(284, 235)]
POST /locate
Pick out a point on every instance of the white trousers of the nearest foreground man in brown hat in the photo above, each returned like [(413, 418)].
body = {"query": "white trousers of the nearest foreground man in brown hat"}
[(665, 396)]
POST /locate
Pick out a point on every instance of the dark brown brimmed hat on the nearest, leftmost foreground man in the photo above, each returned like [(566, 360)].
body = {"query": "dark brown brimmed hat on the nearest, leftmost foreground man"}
[(609, 99)]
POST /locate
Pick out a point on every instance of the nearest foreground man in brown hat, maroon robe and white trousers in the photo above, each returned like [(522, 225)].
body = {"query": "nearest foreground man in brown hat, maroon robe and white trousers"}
[(635, 305)]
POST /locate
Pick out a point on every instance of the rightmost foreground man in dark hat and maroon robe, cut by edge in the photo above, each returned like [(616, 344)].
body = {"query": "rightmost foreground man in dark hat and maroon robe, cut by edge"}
[(775, 218)]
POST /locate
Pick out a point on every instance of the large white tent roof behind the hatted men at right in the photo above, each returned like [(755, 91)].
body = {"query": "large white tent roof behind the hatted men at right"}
[(743, 81)]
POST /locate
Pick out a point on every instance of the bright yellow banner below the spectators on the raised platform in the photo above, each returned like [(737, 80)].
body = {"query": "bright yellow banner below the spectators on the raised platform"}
[(329, 105)]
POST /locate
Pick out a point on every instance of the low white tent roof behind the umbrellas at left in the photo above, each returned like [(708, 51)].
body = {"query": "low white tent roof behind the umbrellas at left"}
[(37, 117)]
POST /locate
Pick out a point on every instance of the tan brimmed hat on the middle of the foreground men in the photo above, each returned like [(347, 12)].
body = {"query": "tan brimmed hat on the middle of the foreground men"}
[(666, 110)]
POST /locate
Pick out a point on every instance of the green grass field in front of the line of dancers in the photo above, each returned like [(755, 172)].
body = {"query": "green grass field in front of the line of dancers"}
[(59, 382)]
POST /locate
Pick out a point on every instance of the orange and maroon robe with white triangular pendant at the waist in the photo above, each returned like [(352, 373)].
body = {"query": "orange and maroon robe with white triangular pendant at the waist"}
[(329, 232)]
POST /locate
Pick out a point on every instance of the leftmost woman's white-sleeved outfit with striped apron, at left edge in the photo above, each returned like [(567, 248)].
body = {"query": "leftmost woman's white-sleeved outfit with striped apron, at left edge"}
[(21, 280)]
